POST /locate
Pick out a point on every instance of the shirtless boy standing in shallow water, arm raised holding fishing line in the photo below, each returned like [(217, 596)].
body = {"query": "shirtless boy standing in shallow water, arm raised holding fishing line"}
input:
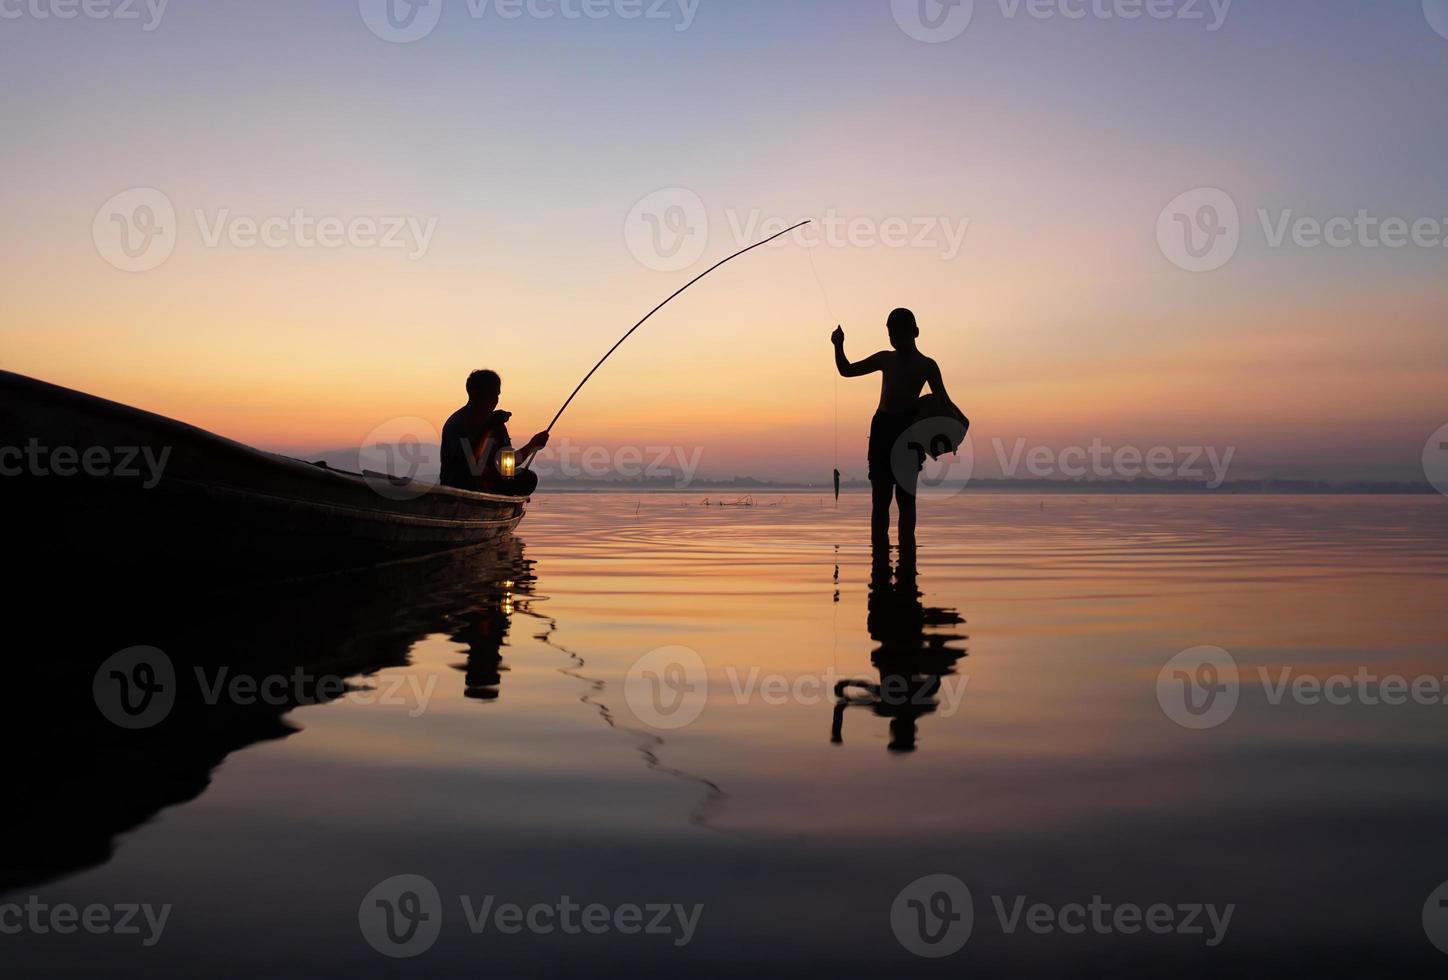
[(906, 373)]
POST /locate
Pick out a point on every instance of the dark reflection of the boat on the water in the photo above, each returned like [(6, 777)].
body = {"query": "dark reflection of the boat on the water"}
[(79, 782)]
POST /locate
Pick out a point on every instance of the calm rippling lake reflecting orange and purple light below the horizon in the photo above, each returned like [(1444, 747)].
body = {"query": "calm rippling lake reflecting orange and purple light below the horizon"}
[(1113, 735)]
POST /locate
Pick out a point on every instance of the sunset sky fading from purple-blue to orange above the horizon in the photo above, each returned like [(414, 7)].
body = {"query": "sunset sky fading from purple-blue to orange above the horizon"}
[(526, 144)]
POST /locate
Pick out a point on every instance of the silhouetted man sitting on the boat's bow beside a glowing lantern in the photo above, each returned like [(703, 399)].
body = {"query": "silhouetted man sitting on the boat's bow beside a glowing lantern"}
[(477, 454)]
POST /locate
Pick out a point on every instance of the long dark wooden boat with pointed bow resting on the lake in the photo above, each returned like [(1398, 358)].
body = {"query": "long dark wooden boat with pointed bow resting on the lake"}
[(215, 513)]
